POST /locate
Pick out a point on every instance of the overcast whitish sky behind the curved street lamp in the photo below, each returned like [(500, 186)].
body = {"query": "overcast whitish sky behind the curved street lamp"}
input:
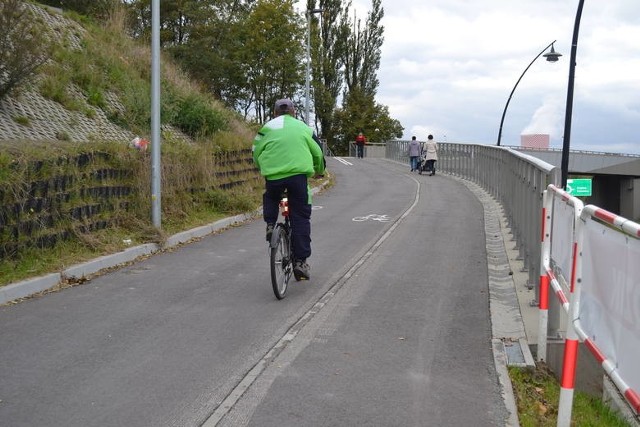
[(448, 67)]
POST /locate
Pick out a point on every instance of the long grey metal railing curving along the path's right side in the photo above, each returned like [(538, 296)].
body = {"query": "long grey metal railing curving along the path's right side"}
[(516, 180)]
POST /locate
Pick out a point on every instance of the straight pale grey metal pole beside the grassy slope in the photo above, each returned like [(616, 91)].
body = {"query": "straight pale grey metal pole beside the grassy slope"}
[(155, 116)]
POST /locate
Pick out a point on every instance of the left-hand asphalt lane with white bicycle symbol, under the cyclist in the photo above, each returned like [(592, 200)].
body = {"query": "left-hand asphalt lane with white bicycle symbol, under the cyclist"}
[(163, 341)]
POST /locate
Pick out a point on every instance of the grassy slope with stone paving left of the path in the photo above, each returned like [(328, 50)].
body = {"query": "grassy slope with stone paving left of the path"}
[(96, 69)]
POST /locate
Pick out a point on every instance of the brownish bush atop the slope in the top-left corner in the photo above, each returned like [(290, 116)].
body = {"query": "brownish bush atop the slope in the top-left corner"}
[(24, 45)]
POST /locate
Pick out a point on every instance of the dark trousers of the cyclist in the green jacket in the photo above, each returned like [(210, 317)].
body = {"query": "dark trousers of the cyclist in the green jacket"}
[(299, 210)]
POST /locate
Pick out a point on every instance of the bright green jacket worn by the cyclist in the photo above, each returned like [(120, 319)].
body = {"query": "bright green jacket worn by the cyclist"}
[(284, 147)]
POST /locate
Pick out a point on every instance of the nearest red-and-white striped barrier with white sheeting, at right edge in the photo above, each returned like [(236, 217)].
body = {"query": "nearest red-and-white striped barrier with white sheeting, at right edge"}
[(605, 309)]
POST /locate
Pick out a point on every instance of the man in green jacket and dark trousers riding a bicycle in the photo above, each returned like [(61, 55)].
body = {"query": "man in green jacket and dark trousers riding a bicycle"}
[(287, 153)]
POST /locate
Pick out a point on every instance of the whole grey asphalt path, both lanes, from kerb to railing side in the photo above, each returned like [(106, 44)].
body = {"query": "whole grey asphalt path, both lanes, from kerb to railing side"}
[(393, 329)]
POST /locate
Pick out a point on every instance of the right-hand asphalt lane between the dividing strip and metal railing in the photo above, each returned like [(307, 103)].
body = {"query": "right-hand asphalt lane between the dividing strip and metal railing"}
[(405, 339)]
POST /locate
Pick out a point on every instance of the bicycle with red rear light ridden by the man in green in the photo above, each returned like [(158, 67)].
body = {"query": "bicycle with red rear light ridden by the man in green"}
[(281, 251)]
